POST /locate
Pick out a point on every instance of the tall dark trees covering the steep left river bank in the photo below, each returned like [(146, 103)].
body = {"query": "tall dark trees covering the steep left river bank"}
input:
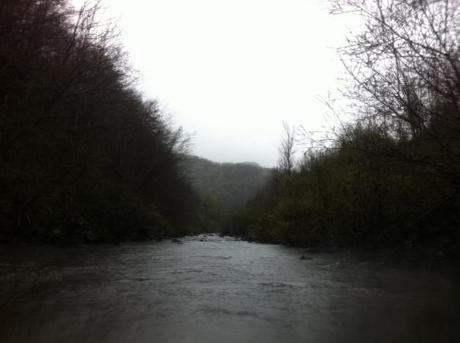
[(83, 157)]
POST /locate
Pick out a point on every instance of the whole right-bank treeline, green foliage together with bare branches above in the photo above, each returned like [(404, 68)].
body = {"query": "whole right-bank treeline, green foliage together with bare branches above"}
[(391, 179)]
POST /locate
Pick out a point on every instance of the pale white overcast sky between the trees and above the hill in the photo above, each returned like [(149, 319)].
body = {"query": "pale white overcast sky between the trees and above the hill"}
[(230, 72)]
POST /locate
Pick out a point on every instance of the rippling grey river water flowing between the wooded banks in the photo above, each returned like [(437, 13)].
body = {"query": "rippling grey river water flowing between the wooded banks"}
[(213, 289)]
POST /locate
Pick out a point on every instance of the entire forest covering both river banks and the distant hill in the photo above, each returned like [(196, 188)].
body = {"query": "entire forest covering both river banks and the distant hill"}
[(86, 158)]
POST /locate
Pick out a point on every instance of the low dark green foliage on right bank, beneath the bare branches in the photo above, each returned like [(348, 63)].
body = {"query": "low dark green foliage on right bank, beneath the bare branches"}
[(349, 195)]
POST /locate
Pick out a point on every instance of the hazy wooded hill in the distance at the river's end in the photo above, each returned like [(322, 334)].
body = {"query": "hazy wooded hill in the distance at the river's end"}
[(224, 189)]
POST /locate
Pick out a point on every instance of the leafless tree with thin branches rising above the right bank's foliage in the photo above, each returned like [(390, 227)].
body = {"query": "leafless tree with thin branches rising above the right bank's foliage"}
[(405, 65)]
